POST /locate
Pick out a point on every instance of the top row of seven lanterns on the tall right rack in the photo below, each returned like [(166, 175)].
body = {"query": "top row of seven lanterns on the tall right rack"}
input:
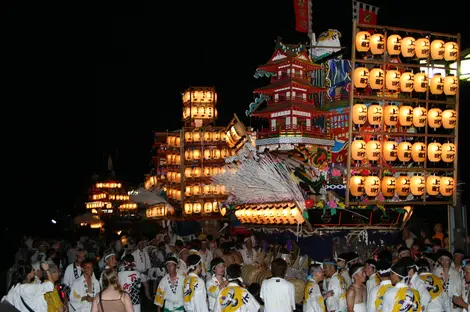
[(407, 47)]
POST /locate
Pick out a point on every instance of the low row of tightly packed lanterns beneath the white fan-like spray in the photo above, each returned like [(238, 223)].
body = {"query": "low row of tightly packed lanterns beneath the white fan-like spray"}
[(285, 213)]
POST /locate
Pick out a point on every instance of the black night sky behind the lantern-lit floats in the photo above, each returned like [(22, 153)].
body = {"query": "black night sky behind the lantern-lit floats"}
[(88, 80)]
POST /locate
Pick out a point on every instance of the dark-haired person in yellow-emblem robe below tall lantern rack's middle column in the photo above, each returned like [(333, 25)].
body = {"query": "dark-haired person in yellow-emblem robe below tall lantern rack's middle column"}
[(401, 297)]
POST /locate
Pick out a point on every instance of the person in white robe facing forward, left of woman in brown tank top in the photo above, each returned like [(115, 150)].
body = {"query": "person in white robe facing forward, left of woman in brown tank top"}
[(84, 289)]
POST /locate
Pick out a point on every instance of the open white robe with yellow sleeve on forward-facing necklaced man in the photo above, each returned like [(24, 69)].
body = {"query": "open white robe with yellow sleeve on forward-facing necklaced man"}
[(168, 296)]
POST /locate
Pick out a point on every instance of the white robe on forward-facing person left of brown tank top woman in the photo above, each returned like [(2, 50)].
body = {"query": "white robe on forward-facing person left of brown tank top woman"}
[(79, 290)]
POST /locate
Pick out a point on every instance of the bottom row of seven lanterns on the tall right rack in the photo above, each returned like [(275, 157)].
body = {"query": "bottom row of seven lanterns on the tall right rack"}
[(402, 186)]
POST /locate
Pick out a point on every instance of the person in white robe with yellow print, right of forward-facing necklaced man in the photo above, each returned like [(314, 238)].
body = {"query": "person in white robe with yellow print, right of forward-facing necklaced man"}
[(194, 289)]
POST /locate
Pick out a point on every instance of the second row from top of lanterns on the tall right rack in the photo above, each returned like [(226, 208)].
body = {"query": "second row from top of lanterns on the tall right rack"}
[(393, 80)]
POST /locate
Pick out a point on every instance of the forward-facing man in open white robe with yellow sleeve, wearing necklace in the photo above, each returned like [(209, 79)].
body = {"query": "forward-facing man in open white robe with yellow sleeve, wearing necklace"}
[(169, 295)]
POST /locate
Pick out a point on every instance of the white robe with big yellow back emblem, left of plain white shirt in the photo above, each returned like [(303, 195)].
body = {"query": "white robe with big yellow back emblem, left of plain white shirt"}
[(234, 298)]
